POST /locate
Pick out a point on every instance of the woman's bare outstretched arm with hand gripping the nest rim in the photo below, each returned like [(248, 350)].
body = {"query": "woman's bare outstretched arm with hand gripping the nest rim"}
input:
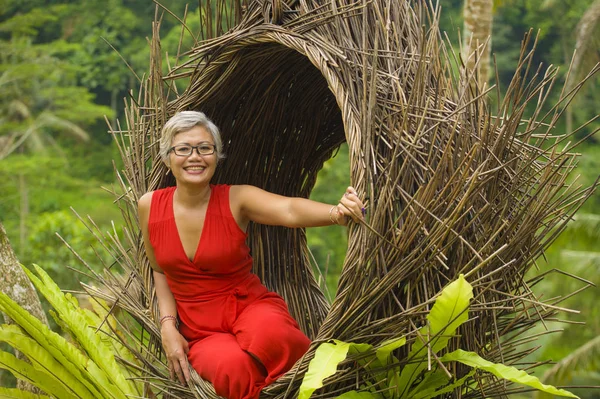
[(263, 207)]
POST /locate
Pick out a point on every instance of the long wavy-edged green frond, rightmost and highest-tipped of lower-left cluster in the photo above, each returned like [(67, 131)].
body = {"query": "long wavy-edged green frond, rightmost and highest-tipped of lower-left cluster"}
[(99, 351)]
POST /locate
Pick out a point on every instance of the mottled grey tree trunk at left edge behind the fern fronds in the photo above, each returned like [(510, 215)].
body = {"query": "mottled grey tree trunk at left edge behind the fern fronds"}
[(16, 285)]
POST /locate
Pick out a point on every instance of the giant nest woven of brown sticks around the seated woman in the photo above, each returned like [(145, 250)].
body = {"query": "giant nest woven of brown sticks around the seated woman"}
[(453, 186)]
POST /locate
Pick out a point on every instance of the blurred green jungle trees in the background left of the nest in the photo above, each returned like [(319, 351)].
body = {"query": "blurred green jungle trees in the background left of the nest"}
[(58, 79)]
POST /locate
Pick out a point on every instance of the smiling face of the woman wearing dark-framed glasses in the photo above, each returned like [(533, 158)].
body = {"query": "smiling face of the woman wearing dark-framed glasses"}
[(193, 168)]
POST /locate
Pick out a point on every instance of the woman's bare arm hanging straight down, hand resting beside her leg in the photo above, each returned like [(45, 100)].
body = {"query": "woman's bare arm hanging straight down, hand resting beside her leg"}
[(174, 344)]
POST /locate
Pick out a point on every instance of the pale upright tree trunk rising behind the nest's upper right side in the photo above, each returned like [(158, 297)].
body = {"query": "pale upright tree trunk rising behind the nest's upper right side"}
[(477, 43)]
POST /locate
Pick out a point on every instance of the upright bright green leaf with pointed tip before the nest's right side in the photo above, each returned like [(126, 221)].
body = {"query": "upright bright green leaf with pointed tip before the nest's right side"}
[(449, 312)]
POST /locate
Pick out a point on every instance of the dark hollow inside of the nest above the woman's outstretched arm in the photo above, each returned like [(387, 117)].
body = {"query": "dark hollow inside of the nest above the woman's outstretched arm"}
[(278, 117)]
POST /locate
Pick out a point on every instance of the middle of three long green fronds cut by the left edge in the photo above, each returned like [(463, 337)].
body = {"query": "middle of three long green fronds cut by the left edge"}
[(42, 360)]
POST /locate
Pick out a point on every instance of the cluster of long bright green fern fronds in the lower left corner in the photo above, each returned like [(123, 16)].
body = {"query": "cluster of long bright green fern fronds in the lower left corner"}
[(58, 367)]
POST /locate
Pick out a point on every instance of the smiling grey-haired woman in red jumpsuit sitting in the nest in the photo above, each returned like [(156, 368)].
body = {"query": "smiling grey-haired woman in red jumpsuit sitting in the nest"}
[(214, 311)]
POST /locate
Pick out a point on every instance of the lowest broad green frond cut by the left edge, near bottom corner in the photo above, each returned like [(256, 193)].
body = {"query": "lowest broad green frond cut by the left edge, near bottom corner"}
[(26, 372)]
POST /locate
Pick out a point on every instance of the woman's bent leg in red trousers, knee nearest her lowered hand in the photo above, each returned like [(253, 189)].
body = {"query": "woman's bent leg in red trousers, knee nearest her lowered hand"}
[(232, 371)]
